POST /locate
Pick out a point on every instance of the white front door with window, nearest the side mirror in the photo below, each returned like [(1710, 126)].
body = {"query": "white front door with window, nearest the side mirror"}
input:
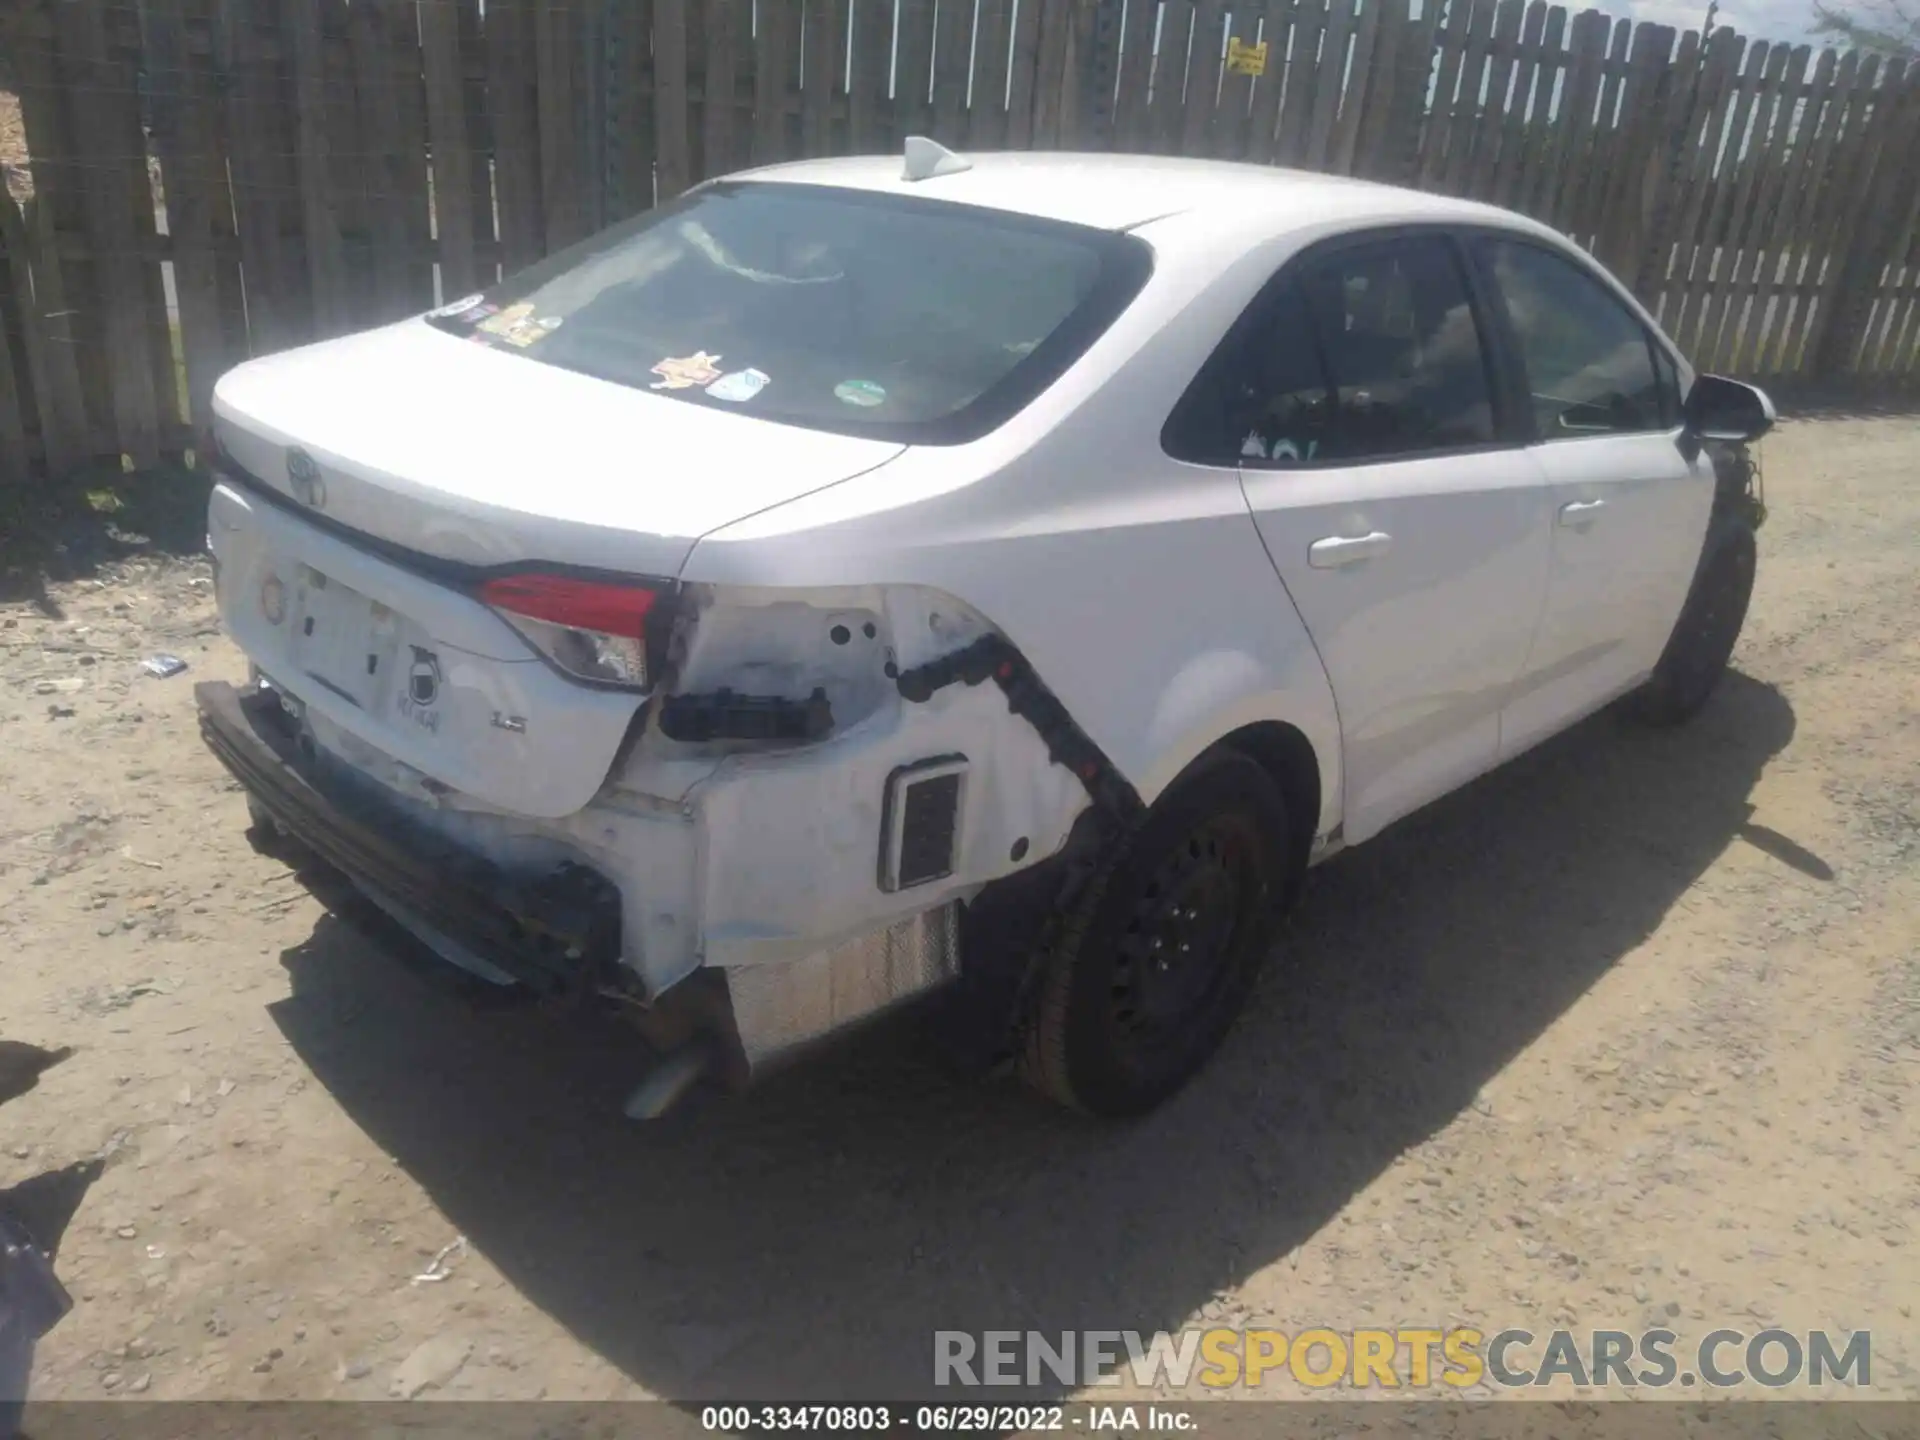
[(1629, 502)]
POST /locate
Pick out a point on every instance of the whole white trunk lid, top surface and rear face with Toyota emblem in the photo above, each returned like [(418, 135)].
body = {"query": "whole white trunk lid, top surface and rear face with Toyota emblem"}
[(479, 458)]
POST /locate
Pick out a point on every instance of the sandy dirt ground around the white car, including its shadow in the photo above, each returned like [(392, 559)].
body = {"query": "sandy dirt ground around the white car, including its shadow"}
[(1623, 1036)]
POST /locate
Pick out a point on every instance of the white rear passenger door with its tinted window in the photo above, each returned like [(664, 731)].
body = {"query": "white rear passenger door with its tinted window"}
[(1360, 406)]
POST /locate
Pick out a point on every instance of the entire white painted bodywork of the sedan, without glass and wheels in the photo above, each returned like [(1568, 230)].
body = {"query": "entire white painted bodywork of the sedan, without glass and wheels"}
[(1166, 606)]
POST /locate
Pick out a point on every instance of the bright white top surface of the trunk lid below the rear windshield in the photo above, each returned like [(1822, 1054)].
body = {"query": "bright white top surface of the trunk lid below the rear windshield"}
[(487, 458)]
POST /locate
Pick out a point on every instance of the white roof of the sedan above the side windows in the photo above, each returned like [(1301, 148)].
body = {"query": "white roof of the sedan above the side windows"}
[(1122, 193)]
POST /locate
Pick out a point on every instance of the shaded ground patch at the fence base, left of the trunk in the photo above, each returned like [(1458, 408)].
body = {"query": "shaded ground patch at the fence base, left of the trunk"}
[(59, 533)]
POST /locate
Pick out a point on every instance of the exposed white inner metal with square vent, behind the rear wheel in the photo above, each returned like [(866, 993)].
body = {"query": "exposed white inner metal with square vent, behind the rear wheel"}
[(790, 834)]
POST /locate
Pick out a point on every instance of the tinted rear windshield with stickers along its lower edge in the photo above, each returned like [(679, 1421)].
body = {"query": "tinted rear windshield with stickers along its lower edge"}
[(880, 316)]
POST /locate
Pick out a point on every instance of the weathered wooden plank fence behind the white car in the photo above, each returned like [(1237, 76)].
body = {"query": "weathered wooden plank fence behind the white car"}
[(216, 180)]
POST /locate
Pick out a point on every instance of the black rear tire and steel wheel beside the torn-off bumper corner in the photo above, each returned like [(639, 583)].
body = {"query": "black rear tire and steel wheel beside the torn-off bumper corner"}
[(1124, 1019)]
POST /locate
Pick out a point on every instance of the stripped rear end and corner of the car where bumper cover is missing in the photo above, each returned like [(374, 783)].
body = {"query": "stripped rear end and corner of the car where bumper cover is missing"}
[(823, 813)]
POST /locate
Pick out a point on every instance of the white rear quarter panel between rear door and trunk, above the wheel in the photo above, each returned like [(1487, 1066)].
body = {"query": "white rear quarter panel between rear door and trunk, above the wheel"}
[(1134, 585)]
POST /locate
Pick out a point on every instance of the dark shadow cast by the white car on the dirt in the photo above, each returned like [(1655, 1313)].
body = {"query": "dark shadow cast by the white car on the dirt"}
[(807, 1239)]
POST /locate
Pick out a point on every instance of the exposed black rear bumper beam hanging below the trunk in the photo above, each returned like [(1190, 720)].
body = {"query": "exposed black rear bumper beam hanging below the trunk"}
[(554, 936)]
